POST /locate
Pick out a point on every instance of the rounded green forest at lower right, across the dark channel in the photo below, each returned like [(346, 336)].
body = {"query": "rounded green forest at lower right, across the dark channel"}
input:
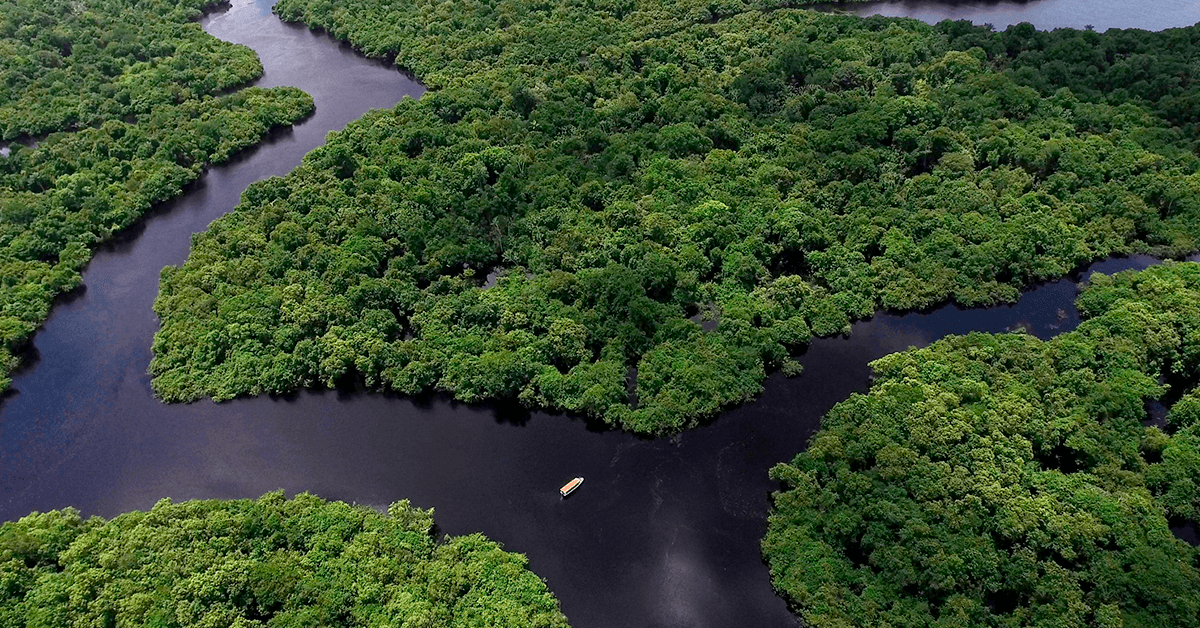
[(1003, 481)]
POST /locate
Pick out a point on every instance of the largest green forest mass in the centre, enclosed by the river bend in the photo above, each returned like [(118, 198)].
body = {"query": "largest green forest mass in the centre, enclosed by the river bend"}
[(629, 169)]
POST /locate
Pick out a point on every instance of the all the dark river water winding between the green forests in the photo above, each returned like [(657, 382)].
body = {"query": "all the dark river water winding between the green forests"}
[(664, 533)]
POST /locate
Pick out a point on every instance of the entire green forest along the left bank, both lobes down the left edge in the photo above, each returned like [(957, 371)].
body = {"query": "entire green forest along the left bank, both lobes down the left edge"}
[(131, 97)]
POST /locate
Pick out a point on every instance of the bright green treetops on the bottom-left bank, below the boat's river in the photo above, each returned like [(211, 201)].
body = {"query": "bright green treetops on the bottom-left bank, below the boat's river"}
[(297, 564)]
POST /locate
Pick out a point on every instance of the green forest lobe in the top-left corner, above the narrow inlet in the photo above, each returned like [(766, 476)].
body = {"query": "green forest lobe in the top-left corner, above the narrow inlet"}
[(70, 64)]
